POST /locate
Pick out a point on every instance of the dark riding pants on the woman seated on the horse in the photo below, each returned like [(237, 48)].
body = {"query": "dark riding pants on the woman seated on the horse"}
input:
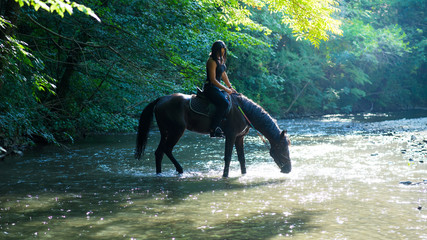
[(219, 100)]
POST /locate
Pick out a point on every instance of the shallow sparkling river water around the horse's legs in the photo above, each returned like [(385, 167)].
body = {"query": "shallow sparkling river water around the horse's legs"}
[(353, 177)]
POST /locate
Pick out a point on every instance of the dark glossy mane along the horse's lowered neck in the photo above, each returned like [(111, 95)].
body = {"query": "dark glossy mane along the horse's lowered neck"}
[(260, 118)]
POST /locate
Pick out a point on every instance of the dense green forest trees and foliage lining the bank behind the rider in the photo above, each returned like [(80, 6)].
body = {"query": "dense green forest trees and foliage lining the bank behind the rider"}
[(63, 75)]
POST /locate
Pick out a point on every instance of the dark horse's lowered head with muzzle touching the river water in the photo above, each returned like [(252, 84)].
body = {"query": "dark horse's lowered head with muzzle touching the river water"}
[(280, 153)]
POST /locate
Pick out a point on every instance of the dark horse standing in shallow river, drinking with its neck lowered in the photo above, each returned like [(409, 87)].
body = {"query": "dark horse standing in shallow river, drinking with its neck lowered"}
[(174, 115)]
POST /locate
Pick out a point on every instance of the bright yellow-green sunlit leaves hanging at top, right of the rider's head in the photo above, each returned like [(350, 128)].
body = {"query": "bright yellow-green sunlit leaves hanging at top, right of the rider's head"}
[(309, 19)]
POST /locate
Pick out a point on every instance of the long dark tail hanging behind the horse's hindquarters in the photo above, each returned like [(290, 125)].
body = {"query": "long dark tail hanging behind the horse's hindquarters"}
[(145, 121)]
